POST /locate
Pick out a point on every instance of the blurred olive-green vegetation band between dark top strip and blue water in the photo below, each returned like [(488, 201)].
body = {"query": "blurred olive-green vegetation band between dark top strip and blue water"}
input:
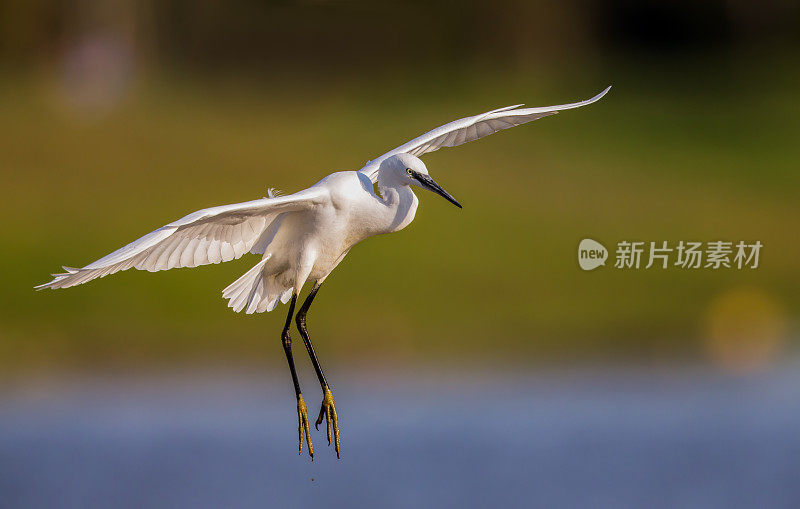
[(675, 152)]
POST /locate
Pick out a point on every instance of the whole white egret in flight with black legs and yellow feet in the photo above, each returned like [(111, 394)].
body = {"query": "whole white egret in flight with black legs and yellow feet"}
[(305, 235)]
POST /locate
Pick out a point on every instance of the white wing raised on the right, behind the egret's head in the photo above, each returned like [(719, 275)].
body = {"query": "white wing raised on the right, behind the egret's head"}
[(471, 128)]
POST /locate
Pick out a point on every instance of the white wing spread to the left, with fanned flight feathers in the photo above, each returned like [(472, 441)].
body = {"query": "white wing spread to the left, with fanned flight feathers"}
[(213, 235)]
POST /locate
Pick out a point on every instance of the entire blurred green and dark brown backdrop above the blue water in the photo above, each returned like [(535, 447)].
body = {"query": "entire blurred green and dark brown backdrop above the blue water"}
[(118, 117)]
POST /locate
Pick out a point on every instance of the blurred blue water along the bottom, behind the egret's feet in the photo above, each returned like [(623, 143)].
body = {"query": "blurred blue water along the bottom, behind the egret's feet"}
[(686, 439)]
